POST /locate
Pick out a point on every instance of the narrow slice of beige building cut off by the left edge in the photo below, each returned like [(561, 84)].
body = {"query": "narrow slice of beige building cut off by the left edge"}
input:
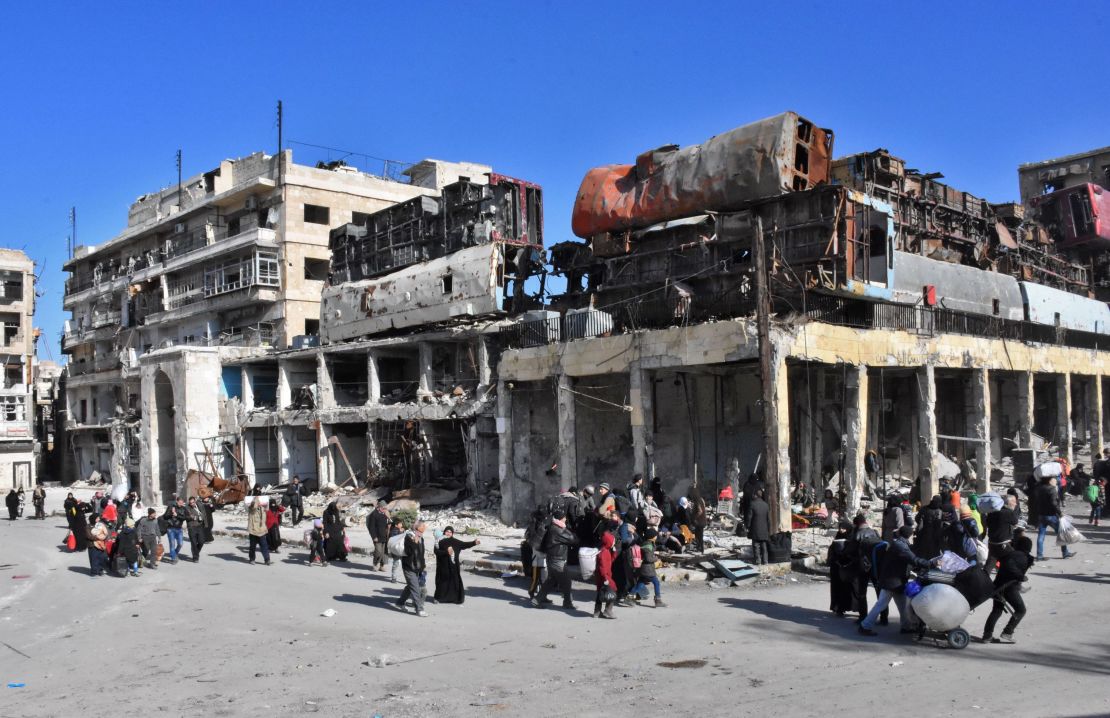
[(17, 352)]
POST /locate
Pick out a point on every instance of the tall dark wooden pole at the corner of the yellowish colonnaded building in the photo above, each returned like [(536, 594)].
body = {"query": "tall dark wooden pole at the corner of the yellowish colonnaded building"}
[(768, 379)]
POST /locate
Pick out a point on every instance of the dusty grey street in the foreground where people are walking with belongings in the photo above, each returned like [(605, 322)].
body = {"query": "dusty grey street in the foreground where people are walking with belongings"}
[(226, 639)]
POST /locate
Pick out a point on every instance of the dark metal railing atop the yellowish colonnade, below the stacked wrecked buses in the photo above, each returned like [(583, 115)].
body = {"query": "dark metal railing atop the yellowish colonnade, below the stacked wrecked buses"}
[(830, 310)]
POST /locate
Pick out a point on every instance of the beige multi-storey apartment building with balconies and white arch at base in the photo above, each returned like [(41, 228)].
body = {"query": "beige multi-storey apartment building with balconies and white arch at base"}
[(230, 265)]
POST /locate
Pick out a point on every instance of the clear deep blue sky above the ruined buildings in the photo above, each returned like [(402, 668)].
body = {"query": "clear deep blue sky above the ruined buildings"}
[(98, 97)]
